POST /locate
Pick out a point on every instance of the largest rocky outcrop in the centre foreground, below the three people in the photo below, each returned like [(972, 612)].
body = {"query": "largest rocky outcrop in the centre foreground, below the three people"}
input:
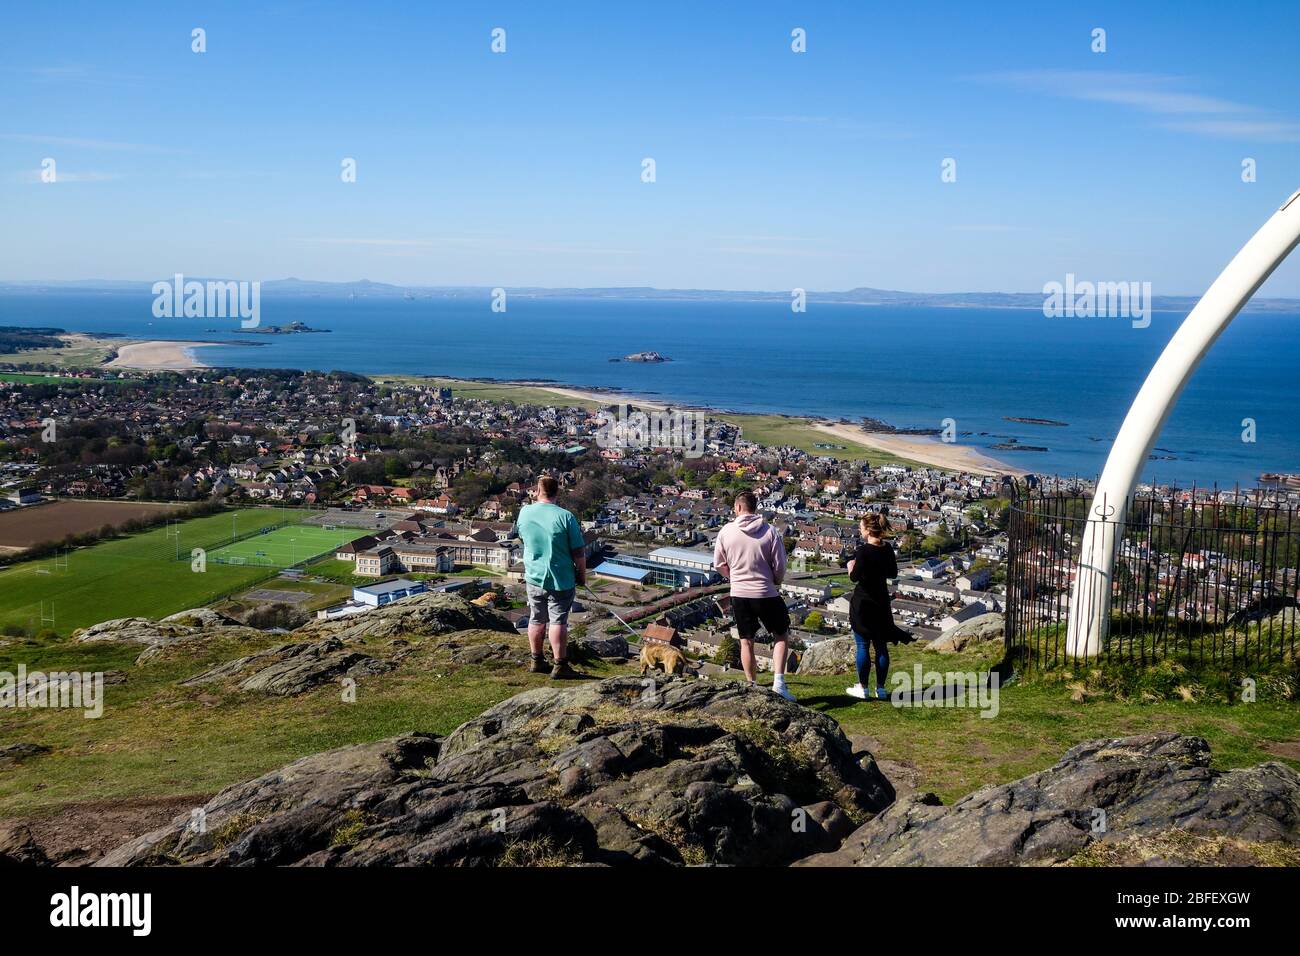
[(621, 772)]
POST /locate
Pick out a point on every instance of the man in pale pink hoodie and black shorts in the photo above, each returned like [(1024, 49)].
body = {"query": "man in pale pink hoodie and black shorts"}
[(752, 556)]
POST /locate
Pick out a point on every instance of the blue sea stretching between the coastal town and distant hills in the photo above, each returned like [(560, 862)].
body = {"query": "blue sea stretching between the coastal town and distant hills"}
[(911, 367)]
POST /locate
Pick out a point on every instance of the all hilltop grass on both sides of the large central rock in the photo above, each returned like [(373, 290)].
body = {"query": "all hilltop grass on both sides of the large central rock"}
[(158, 739)]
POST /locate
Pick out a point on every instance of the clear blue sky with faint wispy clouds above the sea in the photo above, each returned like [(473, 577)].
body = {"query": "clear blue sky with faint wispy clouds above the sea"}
[(774, 170)]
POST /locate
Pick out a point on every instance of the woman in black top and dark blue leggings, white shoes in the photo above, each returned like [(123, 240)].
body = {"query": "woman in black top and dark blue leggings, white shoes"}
[(870, 616)]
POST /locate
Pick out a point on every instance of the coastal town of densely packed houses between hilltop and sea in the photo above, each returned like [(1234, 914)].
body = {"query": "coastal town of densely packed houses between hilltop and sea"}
[(431, 482)]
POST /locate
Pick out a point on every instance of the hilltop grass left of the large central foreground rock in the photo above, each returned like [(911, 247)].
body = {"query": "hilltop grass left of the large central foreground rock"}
[(159, 739)]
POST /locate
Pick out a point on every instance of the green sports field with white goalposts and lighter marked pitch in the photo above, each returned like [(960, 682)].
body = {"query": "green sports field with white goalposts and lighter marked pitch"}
[(154, 574)]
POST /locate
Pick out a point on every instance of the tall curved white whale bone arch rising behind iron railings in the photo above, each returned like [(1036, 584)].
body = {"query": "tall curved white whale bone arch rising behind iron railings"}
[(1091, 596)]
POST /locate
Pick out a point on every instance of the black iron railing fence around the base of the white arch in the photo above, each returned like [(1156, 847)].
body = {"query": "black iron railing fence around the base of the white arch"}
[(1210, 578)]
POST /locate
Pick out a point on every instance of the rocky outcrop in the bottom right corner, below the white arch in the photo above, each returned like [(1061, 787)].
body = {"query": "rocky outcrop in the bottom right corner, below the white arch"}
[(1143, 801)]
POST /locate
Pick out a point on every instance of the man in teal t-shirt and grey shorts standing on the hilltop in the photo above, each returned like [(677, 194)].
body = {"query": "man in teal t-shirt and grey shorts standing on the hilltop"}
[(554, 565)]
